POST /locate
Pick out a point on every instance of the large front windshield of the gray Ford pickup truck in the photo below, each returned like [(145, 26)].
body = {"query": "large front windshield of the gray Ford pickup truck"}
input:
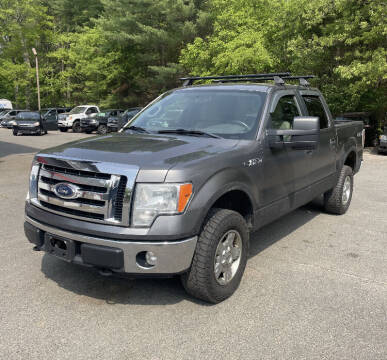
[(230, 114)]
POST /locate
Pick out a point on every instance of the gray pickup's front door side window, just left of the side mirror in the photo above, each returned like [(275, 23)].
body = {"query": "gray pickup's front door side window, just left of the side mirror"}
[(284, 113)]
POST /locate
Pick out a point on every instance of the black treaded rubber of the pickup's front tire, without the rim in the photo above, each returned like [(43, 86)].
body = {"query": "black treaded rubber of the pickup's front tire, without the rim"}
[(200, 280)]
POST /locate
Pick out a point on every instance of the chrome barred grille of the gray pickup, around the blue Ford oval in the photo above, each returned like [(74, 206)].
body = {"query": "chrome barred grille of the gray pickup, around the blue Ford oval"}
[(101, 196)]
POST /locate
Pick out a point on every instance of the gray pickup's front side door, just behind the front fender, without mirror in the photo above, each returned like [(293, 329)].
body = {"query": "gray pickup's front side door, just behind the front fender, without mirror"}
[(285, 170)]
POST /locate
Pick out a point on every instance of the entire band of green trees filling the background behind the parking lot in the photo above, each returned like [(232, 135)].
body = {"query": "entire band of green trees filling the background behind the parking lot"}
[(125, 52)]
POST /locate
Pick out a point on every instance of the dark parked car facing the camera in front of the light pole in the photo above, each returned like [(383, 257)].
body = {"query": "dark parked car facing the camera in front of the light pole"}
[(29, 123)]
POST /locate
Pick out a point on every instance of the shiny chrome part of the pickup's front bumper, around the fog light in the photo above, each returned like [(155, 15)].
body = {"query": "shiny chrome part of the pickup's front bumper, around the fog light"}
[(173, 257)]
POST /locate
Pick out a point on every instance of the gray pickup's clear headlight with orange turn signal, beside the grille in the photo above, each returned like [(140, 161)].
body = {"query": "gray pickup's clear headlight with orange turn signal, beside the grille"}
[(151, 200)]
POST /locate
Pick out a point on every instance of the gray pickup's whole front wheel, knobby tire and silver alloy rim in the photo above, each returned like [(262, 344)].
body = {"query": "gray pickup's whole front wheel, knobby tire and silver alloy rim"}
[(220, 257)]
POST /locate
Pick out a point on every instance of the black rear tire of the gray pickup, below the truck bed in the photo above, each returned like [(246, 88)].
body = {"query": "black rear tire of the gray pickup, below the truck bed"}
[(333, 199)]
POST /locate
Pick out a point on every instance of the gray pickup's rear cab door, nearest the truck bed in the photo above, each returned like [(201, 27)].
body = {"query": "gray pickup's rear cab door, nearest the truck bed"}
[(323, 159)]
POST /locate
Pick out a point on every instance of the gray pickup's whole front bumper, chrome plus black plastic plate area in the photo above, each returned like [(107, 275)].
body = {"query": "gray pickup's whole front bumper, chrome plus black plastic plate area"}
[(173, 257)]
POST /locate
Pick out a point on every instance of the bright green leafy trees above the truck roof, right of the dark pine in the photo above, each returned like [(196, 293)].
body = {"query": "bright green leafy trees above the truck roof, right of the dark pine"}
[(343, 42)]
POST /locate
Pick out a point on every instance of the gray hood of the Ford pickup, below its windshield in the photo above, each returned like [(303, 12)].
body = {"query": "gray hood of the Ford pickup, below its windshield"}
[(147, 151)]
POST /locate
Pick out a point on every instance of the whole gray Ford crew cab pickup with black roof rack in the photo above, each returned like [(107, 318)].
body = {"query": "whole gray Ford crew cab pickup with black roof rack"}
[(181, 187)]
